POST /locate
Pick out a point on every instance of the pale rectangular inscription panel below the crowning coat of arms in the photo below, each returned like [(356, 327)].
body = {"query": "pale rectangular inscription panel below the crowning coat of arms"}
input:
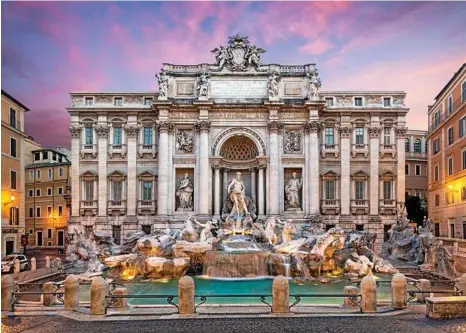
[(239, 89)]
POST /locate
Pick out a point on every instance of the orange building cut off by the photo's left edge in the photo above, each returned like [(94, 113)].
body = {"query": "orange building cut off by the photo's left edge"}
[(13, 139)]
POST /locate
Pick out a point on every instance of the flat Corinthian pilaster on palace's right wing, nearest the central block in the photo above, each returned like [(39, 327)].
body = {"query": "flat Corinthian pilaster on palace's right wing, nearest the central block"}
[(345, 140)]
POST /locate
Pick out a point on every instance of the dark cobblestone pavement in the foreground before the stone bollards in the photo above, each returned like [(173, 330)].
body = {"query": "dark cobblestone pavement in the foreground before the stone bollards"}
[(390, 324)]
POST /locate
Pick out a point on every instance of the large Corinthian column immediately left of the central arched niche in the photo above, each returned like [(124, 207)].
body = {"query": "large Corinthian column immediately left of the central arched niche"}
[(203, 127)]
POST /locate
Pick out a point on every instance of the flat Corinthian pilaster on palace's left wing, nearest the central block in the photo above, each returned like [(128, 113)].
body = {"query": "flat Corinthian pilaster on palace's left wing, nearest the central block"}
[(131, 193)]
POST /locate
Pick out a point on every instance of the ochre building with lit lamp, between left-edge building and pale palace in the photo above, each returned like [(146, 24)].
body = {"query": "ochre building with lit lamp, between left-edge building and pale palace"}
[(47, 180)]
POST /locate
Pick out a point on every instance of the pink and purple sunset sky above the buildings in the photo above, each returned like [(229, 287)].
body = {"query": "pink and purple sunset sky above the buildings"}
[(52, 48)]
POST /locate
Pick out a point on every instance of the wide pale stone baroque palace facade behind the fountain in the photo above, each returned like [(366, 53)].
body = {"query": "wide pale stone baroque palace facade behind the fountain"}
[(148, 160)]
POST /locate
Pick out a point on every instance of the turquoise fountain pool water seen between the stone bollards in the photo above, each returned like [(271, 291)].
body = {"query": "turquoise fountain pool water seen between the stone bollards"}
[(209, 286)]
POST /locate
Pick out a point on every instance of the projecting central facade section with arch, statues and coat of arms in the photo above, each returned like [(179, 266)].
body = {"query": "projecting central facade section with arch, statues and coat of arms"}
[(253, 129)]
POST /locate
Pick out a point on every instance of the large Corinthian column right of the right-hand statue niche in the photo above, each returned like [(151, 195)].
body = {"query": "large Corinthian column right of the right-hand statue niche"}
[(313, 128)]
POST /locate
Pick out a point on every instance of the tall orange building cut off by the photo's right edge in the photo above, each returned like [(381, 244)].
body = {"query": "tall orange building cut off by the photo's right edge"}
[(447, 158)]
